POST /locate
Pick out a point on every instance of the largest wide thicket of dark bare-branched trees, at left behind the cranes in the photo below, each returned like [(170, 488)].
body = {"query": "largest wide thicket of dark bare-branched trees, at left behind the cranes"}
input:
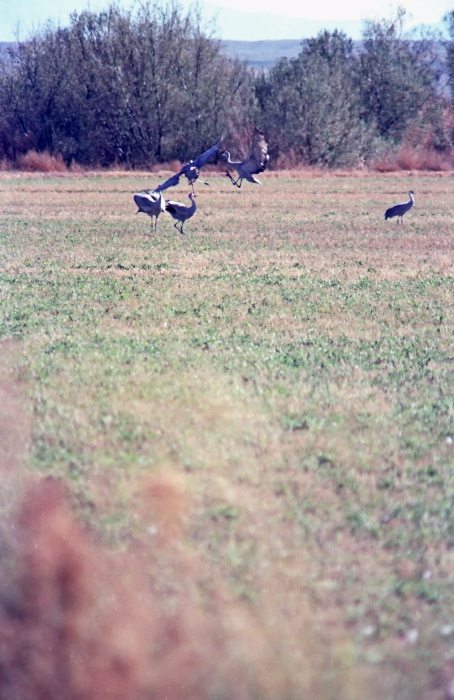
[(134, 87)]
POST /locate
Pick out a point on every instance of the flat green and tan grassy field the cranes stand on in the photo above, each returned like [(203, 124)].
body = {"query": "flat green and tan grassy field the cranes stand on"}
[(290, 362)]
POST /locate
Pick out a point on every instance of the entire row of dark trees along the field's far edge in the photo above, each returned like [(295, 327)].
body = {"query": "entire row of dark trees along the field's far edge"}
[(144, 86)]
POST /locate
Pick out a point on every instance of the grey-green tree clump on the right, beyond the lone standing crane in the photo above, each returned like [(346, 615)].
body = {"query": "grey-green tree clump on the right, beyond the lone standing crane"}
[(338, 104)]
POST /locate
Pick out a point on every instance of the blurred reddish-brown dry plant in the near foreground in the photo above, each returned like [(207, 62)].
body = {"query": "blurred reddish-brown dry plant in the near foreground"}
[(80, 621)]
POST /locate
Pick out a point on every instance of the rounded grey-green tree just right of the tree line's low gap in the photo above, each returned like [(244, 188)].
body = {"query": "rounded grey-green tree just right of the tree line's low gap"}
[(312, 103)]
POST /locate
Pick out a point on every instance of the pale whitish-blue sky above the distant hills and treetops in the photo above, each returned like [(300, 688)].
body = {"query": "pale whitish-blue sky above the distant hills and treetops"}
[(29, 15)]
